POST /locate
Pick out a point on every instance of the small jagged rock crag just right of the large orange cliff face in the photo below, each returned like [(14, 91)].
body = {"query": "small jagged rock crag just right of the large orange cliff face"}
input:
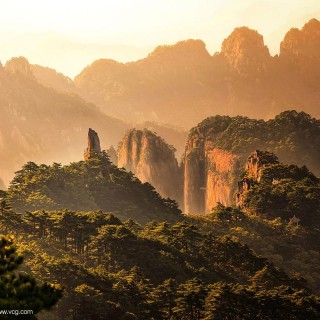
[(255, 163)]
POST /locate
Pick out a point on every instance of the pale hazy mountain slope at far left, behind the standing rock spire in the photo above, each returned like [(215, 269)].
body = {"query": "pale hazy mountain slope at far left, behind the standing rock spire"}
[(40, 124)]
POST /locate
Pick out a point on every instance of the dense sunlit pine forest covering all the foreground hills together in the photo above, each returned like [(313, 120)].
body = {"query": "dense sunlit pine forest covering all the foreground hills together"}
[(115, 249)]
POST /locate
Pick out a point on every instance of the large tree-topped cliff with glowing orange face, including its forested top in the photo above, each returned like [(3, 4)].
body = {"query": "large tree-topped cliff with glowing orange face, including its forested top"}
[(217, 150)]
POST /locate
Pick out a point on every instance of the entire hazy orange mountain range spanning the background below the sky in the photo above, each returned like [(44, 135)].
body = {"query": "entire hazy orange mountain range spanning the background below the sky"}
[(45, 115)]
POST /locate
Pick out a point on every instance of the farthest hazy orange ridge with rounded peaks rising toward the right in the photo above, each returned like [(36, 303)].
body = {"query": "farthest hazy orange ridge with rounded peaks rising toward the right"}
[(182, 83)]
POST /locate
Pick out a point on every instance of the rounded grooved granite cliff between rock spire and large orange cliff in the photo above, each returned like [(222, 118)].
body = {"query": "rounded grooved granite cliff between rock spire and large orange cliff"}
[(152, 160)]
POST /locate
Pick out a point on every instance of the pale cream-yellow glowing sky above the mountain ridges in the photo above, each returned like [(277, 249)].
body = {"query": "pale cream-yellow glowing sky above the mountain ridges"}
[(70, 34)]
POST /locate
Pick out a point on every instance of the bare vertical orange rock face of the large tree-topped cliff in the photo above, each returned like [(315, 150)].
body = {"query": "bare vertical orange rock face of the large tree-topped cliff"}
[(208, 176)]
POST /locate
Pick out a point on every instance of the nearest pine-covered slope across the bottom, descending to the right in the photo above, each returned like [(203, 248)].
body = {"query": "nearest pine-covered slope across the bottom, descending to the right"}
[(115, 270)]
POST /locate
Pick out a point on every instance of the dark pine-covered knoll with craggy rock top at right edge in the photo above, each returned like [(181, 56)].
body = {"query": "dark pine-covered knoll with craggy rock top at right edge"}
[(273, 189)]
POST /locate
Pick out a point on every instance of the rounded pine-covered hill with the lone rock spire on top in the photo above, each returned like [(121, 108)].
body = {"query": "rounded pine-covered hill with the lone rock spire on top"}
[(95, 184)]
